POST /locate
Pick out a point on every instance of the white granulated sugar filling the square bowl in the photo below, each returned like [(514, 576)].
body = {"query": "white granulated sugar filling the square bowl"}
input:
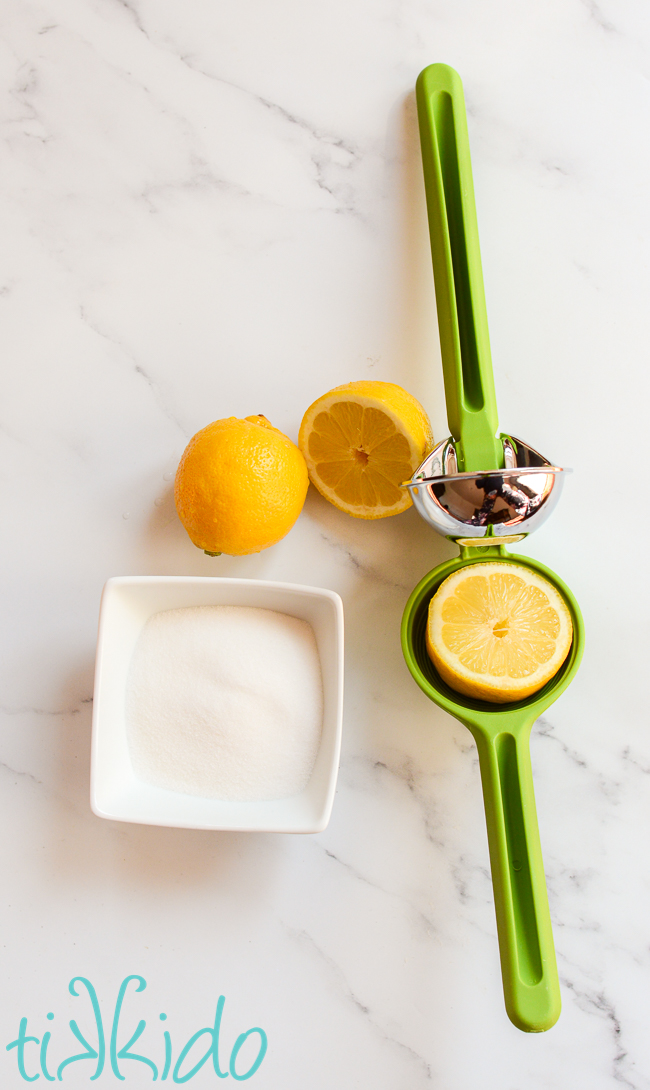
[(225, 703)]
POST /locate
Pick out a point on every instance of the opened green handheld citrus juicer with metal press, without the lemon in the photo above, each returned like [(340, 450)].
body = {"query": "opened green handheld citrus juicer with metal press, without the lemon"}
[(485, 492)]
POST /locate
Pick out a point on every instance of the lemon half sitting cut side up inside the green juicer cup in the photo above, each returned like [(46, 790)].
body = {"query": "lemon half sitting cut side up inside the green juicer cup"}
[(498, 632)]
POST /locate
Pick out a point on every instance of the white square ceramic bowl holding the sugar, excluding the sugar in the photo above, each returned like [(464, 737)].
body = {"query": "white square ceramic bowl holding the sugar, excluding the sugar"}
[(127, 604)]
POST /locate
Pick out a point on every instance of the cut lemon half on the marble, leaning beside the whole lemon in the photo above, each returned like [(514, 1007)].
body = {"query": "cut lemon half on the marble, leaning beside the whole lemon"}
[(360, 442)]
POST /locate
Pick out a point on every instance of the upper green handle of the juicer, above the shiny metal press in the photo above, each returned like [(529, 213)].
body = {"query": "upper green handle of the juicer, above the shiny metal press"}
[(461, 299)]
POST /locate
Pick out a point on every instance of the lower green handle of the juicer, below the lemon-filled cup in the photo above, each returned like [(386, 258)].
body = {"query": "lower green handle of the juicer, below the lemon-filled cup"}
[(529, 971)]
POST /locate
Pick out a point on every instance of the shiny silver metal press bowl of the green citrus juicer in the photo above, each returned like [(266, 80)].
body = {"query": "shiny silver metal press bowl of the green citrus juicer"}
[(498, 506)]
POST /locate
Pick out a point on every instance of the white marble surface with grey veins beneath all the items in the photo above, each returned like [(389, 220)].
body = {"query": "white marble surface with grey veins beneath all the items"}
[(213, 209)]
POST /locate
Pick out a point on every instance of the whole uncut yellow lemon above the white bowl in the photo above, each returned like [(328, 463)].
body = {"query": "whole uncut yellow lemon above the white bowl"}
[(240, 487)]
